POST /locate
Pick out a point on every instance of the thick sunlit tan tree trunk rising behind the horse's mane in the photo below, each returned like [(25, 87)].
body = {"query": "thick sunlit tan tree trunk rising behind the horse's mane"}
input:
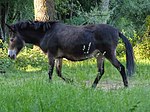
[(44, 10)]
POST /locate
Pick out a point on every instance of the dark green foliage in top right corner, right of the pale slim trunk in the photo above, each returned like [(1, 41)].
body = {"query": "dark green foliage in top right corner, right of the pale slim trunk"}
[(135, 11)]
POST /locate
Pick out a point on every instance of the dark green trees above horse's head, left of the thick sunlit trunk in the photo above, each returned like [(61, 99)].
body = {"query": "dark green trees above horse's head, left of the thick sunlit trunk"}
[(12, 11)]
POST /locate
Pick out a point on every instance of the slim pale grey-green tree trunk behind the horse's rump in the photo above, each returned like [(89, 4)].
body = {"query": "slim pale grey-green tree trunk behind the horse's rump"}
[(105, 11)]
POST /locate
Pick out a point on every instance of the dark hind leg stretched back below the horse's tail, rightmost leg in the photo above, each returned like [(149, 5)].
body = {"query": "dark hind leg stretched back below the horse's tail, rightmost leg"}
[(112, 58)]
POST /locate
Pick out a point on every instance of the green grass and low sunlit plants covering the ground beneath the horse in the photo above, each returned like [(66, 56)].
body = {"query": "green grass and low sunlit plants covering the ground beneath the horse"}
[(25, 87)]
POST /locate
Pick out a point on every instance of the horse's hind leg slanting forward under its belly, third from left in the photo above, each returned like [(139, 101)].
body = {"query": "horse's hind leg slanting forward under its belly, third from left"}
[(100, 65)]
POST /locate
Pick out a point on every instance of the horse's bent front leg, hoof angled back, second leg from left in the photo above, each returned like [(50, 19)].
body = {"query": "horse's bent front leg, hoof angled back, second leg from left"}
[(59, 68)]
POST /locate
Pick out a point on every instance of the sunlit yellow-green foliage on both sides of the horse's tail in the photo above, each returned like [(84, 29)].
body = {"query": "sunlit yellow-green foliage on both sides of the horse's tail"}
[(139, 46)]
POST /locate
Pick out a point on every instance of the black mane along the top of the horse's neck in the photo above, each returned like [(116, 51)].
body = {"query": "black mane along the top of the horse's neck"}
[(34, 25)]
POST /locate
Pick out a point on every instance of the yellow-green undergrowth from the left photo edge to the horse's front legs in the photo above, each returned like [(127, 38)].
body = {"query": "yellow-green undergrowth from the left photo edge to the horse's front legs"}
[(26, 59)]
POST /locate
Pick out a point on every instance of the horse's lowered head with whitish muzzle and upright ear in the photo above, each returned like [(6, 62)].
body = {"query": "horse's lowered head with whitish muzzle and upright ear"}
[(16, 42)]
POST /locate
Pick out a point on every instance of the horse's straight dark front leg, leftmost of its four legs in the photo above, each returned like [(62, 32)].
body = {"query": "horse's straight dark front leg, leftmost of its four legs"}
[(51, 65)]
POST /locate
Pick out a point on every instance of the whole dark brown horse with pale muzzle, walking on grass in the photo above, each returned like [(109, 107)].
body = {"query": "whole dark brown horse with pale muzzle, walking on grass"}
[(75, 43)]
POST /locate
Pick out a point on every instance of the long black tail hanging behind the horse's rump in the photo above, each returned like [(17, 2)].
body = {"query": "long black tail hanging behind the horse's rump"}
[(129, 55)]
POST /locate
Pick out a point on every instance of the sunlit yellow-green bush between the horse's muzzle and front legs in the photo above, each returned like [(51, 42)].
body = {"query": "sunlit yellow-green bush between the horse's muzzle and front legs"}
[(31, 58)]
